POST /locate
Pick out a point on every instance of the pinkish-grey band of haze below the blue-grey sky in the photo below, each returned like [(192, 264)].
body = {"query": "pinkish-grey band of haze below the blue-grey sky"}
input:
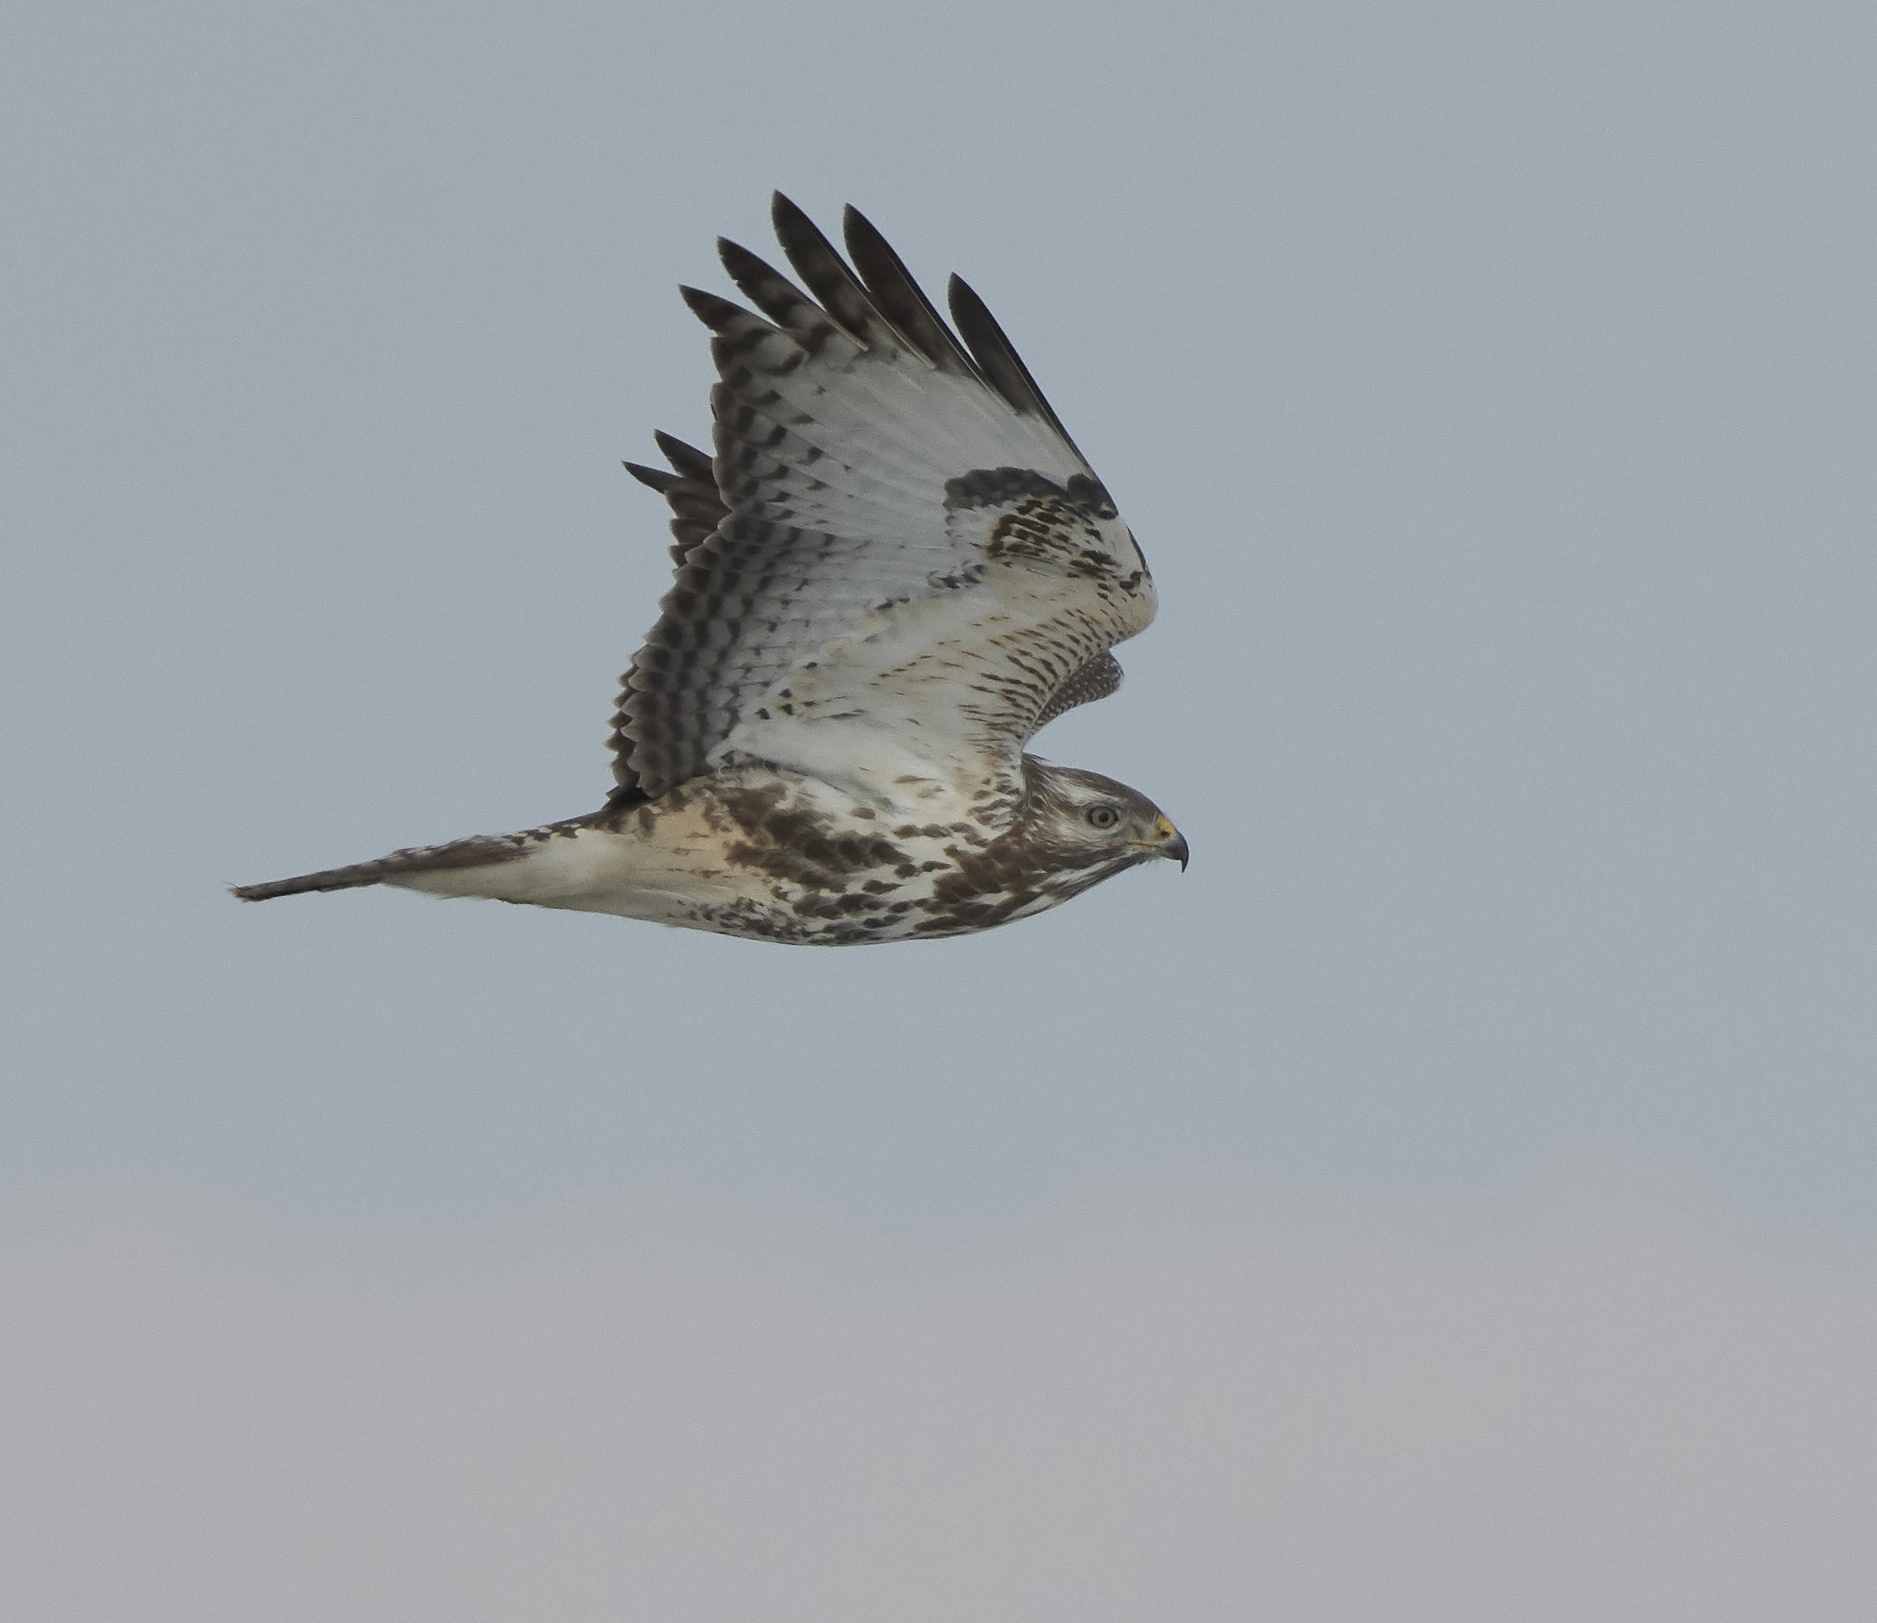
[(1587, 1403)]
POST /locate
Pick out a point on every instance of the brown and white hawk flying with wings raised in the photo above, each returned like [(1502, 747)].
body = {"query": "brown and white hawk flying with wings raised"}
[(893, 569)]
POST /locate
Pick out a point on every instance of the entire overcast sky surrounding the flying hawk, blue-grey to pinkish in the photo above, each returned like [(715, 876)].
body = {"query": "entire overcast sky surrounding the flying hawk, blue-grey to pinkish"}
[(1454, 1198)]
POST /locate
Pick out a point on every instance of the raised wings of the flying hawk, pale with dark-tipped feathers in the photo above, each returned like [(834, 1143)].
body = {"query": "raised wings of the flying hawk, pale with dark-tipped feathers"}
[(911, 568)]
